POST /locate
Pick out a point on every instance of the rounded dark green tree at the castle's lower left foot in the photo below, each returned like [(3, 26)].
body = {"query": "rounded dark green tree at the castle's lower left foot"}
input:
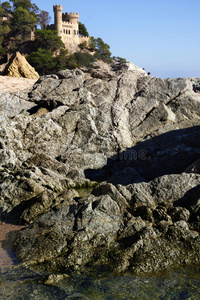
[(48, 39)]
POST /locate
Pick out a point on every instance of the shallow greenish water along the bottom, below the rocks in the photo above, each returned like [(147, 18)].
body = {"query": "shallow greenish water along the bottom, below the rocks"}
[(21, 283)]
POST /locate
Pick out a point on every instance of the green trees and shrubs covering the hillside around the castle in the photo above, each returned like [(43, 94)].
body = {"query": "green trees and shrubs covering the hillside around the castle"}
[(46, 53)]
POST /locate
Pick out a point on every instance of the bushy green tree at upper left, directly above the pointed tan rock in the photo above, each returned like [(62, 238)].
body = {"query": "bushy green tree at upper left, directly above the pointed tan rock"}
[(22, 21)]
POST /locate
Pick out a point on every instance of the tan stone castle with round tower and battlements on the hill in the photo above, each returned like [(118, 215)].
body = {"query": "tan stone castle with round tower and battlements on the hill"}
[(67, 25)]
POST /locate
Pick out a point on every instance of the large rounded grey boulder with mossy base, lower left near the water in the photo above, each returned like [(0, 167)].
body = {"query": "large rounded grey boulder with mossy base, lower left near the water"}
[(72, 234)]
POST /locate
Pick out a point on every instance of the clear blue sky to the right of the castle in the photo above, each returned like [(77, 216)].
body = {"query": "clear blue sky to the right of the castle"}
[(162, 36)]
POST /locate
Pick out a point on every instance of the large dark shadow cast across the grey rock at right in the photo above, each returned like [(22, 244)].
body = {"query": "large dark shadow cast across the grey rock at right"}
[(168, 153)]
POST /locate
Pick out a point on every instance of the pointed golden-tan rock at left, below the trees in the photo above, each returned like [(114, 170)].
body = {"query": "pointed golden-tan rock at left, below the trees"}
[(19, 67)]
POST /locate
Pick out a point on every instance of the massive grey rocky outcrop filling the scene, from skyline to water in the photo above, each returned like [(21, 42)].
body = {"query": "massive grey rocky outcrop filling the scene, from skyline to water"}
[(102, 164)]
